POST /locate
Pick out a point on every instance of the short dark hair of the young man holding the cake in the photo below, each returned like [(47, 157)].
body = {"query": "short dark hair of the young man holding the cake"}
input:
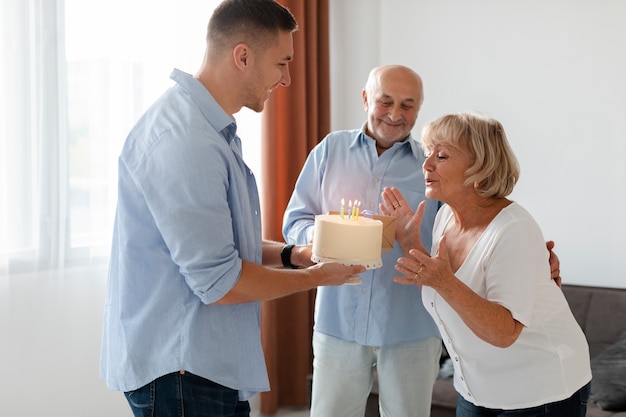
[(251, 21)]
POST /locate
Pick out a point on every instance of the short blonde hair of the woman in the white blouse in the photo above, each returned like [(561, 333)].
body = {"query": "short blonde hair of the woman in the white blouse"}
[(494, 169)]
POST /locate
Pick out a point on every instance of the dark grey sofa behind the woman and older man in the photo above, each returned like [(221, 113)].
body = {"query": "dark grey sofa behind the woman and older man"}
[(601, 313)]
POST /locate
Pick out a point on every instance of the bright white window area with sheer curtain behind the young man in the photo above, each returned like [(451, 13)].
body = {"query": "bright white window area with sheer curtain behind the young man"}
[(74, 78)]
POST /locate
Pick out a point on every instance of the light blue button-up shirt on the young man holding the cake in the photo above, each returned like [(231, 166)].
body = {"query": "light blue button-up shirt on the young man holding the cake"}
[(188, 213)]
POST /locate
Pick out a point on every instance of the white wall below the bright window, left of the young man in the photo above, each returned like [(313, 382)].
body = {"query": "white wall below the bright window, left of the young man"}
[(50, 332)]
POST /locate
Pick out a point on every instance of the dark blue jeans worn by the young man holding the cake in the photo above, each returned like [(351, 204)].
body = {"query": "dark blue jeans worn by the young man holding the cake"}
[(185, 394)]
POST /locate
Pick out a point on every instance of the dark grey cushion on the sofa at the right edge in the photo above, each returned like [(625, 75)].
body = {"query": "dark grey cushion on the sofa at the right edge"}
[(608, 388)]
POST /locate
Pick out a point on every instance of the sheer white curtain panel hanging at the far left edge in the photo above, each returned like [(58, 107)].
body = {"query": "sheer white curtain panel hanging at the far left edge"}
[(33, 178)]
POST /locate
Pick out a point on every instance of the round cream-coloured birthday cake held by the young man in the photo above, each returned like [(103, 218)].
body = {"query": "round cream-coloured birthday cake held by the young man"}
[(350, 241)]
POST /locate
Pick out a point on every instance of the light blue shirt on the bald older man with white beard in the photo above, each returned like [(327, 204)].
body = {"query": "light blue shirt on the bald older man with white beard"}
[(346, 165)]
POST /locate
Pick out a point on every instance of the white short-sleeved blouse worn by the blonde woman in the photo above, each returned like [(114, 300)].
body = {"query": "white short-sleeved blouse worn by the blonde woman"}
[(509, 265)]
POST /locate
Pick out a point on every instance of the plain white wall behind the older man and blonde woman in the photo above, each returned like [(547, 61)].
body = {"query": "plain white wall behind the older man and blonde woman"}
[(554, 73)]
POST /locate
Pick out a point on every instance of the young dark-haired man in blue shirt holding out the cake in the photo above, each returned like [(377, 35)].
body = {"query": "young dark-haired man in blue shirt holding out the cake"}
[(188, 264)]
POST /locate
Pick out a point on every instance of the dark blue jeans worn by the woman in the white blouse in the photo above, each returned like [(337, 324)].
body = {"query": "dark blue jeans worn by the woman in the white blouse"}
[(574, 406)]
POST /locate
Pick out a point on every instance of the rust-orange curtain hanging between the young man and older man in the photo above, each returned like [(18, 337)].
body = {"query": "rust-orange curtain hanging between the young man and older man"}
[(294, 120)]
